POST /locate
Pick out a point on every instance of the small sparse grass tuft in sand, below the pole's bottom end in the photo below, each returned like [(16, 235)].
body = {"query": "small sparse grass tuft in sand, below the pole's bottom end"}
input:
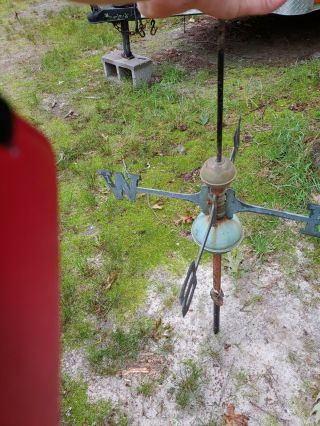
[(188, 385)]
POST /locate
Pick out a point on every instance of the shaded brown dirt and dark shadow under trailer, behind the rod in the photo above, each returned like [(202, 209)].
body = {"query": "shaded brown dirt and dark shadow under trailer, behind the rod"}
[(271, 39)]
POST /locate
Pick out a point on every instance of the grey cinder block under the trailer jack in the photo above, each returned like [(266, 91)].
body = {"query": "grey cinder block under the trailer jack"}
[(138, 70)]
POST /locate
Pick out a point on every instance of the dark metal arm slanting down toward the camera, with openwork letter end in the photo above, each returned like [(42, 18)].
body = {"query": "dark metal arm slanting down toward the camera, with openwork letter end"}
[(190, 282)]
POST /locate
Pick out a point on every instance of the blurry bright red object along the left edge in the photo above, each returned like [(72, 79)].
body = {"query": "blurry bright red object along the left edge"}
[(29, 317)]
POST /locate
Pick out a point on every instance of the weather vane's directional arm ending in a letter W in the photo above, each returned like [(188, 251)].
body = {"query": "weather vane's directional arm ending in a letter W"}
[(121, 187)]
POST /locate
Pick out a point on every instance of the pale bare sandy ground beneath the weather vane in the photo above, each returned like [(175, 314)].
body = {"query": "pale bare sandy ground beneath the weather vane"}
[(266, 359)]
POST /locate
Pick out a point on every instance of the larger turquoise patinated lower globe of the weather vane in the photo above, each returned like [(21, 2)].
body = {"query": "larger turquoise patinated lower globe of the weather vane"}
[(226, 235)]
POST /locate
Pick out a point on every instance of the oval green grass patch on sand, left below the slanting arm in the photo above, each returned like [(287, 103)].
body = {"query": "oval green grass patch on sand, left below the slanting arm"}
[(120, 347)]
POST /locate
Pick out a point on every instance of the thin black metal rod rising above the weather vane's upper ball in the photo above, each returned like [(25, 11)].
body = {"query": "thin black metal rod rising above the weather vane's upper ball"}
[(221, 44)]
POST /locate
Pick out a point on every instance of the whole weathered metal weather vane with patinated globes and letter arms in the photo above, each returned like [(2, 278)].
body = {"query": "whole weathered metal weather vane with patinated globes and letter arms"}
[(217, 229)]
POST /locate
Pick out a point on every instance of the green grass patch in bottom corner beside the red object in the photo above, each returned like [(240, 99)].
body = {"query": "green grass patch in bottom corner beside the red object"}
[(77, 411)]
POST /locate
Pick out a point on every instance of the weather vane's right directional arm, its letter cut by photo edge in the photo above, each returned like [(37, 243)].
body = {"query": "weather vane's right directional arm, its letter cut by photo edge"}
[(312, 221)]
